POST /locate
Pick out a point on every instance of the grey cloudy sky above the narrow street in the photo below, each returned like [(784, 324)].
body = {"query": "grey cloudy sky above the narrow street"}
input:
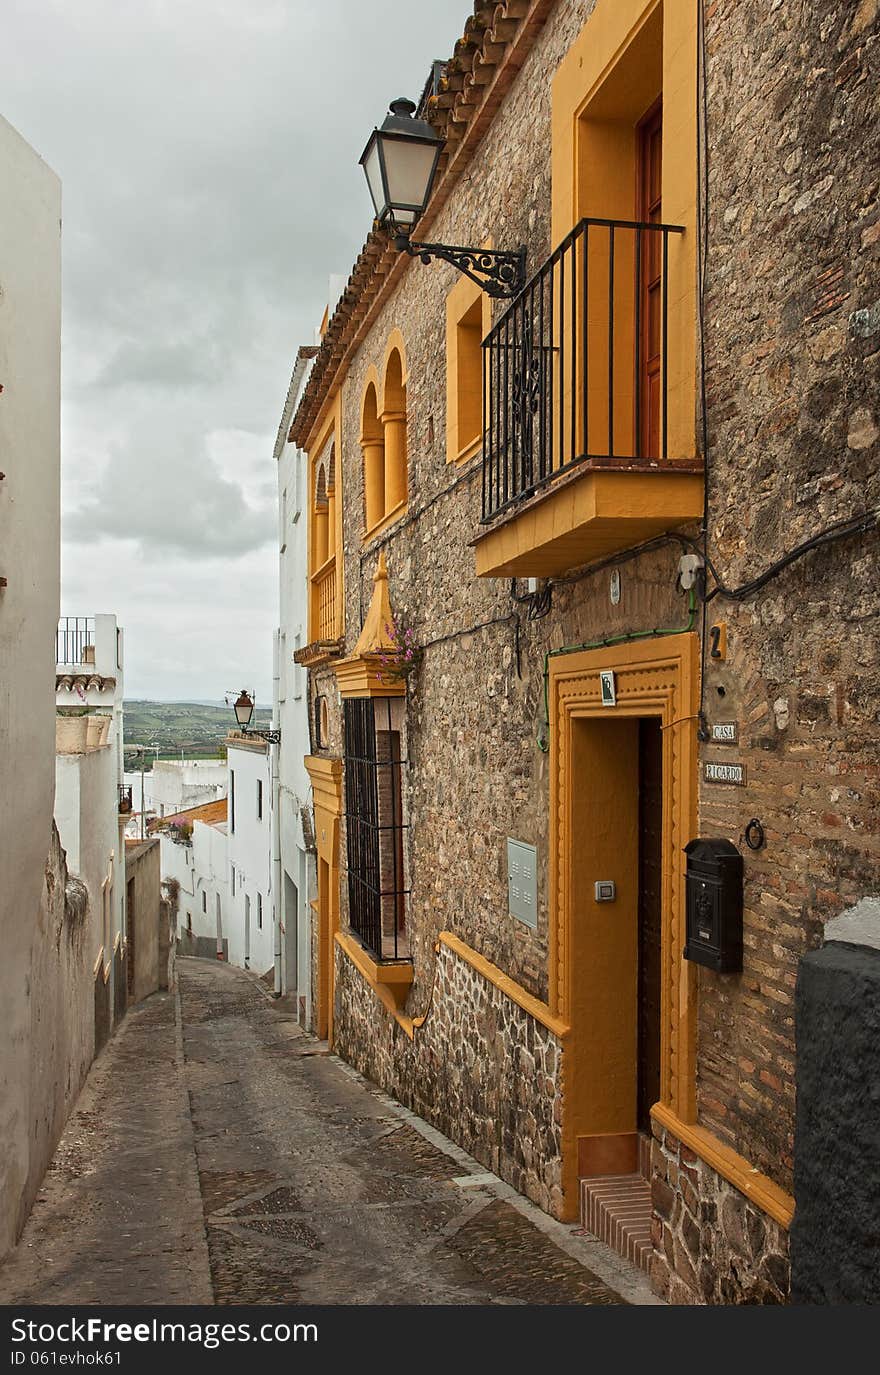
[(208, 152)]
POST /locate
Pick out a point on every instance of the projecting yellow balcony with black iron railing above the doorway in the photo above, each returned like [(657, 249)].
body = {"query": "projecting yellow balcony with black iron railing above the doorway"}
[(589, 420)]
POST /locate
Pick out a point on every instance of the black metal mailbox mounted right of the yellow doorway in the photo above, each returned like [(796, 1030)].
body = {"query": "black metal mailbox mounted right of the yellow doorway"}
[(714, 886)]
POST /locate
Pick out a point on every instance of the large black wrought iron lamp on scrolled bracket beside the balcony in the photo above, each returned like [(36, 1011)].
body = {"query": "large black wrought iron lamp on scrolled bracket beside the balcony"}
[(401, 163)]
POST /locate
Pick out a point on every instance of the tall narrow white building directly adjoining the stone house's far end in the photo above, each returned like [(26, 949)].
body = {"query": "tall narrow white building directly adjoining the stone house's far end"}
[(295, 859)]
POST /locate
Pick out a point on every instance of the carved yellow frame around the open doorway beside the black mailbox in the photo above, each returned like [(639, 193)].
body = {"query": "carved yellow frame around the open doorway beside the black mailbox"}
[(595, 808)]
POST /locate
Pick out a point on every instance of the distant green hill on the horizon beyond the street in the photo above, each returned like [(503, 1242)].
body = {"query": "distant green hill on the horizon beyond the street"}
[(171, 729)]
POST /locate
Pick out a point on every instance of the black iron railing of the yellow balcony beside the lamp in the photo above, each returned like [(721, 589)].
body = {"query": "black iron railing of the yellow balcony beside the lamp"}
[(577, 368)]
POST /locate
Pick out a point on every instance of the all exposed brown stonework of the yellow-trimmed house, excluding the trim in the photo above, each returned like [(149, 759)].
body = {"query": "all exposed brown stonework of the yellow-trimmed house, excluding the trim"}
[(793, 327)]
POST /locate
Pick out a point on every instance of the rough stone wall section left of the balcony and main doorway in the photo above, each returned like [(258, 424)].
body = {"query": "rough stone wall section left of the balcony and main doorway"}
[(476, 773)]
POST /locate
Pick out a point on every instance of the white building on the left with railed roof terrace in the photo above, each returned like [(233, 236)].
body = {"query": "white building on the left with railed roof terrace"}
[(90, 806)]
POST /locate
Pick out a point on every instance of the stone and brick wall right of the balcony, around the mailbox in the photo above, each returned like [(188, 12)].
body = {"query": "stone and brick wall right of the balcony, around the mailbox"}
[(793, 299)]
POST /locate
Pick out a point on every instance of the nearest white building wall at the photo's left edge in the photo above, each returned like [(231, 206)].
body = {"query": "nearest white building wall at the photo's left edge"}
[(41, 1059)]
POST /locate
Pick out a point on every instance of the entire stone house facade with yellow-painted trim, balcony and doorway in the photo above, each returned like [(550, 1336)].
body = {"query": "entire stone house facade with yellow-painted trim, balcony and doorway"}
[(538, 1043)]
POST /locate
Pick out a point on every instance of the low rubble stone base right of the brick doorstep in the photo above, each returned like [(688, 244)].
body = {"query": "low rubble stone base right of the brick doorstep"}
[(712, 1244)]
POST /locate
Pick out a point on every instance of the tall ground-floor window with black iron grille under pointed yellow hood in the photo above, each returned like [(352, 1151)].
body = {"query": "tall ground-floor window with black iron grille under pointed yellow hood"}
[(377, 890)]
